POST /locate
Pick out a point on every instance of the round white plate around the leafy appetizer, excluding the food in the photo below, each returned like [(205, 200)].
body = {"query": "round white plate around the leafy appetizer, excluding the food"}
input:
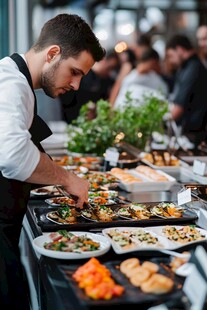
[(38, 244)]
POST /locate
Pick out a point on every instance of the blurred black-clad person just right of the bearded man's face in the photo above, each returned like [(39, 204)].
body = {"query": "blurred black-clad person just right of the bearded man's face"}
[(95, 85)]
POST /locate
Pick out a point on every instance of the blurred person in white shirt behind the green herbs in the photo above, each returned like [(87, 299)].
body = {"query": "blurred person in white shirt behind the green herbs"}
[(144, 79)]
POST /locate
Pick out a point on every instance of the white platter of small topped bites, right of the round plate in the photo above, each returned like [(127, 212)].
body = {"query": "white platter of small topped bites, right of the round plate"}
[(129, 239)]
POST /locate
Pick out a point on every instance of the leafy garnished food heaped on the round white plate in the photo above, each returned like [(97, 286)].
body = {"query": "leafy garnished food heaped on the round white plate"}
[(65, 241)]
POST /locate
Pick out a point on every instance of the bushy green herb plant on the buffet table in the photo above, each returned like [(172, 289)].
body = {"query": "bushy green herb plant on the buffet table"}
[(133, 124)]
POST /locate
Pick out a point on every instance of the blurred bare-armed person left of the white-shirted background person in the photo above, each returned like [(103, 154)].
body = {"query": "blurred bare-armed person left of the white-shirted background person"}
[(128, 62)]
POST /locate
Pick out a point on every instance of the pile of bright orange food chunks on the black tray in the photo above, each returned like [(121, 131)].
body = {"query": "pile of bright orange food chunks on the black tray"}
[(96, 280)]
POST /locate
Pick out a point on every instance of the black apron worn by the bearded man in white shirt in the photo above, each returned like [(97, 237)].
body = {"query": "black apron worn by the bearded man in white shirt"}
[(13, 205)]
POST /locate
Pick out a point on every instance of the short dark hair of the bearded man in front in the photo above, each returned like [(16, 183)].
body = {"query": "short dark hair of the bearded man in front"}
[(72, 34)]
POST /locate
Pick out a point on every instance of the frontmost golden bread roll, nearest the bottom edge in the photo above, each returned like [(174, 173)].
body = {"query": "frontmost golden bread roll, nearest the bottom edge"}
[(157, 284)]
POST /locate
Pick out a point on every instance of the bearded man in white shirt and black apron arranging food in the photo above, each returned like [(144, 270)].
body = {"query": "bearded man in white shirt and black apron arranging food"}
[(64, 52)]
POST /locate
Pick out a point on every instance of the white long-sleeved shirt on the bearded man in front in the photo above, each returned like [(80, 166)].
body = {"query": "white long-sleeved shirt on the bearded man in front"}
[(18, 154)]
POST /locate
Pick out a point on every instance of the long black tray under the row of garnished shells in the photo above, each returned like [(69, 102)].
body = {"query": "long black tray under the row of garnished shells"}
[(39, 215)]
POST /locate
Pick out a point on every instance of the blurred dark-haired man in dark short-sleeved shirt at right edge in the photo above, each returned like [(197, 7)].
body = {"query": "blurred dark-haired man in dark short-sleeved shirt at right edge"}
[(188, 99)]
